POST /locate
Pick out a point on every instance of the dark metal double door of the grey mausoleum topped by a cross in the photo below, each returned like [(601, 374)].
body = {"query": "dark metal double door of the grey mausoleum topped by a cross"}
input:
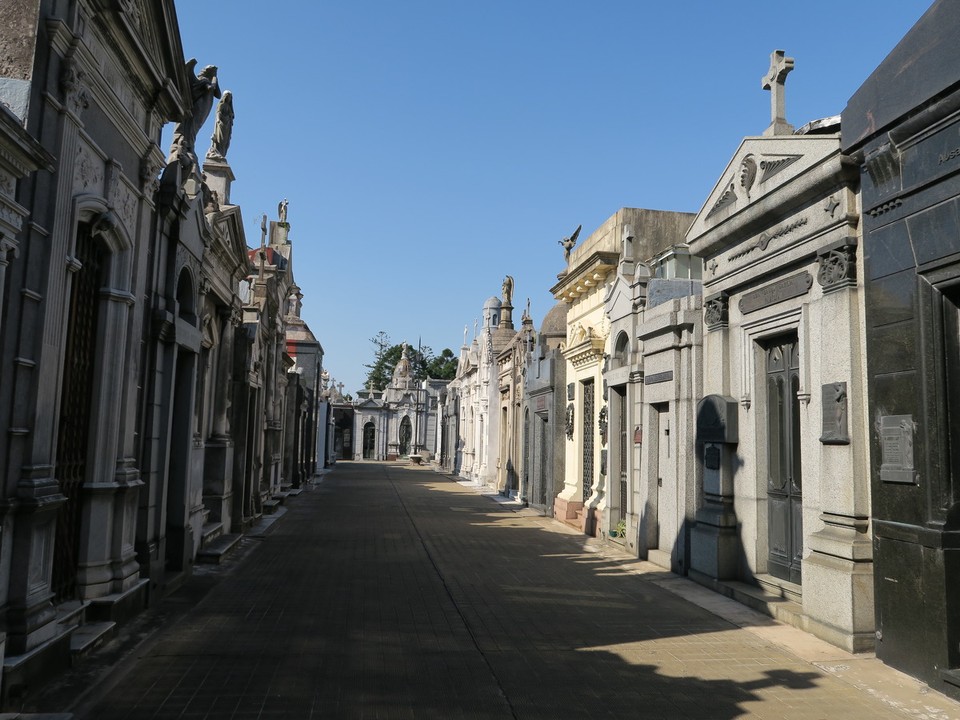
[(784, 483)]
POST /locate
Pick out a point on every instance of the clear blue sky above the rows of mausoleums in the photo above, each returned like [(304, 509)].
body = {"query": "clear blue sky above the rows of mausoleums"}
[(428, 148)]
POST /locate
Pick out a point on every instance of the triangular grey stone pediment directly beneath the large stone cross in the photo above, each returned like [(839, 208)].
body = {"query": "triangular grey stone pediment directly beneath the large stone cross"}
[(766, 174)]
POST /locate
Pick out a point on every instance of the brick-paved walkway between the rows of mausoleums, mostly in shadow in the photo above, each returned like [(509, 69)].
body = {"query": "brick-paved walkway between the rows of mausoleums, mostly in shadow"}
[(388, 591)]
